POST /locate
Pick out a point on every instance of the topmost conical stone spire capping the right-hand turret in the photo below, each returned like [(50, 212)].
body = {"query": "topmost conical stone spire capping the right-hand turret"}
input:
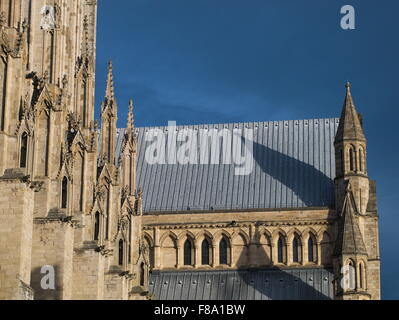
[(350, 126)]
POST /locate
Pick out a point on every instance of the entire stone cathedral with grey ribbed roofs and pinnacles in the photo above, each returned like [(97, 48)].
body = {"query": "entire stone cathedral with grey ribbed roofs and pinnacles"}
[(90, 211)]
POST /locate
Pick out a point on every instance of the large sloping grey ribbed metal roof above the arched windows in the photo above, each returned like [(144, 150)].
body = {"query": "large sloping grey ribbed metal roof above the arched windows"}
[(294, 167)]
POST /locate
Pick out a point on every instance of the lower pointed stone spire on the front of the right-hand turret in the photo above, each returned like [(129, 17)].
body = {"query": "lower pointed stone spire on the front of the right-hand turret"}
[(350, 240)]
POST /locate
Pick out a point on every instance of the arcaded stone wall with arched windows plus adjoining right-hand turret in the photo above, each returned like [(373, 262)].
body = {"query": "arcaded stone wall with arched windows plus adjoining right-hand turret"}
[(342, 238)]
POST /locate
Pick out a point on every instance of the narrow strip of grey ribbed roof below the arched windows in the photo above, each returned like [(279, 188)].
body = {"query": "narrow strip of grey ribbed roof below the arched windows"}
[(273, 284)]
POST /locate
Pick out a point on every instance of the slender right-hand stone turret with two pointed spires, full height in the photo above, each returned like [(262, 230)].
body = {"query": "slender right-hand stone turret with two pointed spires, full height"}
[(356, 255)]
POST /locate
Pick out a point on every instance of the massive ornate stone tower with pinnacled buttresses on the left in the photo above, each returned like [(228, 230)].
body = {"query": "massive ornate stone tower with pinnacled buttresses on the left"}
[(73, 210)]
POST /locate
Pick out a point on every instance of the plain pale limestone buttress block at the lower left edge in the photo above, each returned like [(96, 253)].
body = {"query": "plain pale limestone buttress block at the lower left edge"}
[(16, 216)]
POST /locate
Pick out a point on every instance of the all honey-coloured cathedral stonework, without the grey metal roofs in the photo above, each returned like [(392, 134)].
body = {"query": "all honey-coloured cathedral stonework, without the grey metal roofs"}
[(69, 199)]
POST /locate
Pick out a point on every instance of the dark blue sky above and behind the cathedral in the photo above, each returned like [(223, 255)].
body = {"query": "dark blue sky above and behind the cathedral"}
[(218, 61)]
